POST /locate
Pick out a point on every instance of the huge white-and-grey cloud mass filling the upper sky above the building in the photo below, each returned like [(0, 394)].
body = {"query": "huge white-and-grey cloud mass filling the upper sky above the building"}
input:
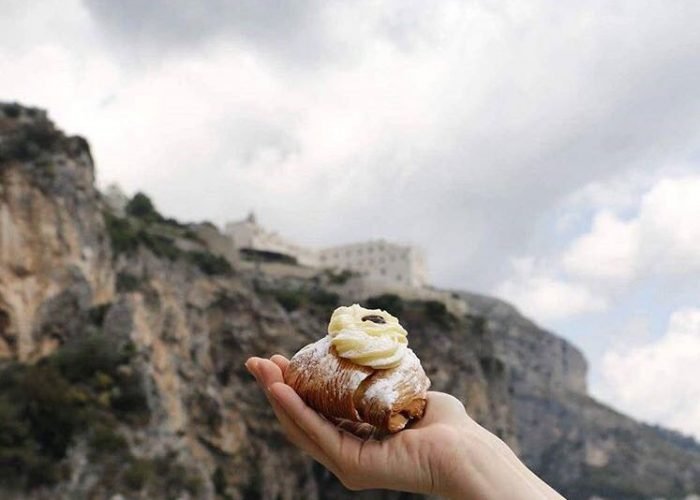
[(457, 126)]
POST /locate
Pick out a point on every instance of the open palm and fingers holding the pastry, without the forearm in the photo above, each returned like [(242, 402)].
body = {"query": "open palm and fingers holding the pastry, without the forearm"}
[(412, 460)]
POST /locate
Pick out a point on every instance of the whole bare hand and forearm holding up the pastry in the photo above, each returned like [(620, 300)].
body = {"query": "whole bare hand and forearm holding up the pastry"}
[(446, 453)]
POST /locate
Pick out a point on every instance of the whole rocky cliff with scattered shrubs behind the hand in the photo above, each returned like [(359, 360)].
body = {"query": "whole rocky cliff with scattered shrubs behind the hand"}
[(122, 341)]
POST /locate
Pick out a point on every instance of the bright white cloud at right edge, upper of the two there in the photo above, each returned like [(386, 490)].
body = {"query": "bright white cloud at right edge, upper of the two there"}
[(657, 244)]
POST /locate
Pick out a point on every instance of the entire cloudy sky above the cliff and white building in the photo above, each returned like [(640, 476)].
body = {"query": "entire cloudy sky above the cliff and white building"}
[(546, 152)]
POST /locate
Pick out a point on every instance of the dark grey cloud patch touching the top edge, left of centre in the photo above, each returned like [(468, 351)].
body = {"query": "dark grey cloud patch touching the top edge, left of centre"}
[(286, 28)]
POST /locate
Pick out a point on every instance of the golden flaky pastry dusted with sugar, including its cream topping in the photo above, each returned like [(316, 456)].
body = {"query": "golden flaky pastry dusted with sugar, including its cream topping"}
[(362, 375)]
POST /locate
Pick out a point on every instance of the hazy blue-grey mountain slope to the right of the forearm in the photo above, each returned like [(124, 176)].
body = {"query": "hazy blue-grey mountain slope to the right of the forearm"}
[(580, 446)]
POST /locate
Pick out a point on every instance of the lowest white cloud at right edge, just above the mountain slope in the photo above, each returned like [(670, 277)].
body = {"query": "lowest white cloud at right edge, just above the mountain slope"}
[(657, 380)]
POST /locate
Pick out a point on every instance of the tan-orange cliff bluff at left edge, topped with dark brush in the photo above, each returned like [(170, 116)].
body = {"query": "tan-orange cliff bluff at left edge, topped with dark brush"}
[(54, 253)]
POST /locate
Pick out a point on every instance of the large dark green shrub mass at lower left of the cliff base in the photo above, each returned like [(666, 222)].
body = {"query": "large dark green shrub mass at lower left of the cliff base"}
[(44, 406)]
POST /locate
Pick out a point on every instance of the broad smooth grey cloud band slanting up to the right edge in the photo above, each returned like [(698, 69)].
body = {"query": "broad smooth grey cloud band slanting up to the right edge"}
[(478, 198)]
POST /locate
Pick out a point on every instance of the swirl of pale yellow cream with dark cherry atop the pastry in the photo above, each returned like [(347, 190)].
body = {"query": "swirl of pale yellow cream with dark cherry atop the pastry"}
[(368, 337)]
